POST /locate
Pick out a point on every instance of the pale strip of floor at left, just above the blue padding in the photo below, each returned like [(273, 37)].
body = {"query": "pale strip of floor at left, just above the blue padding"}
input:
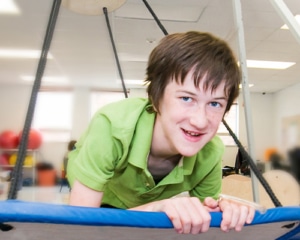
[(41, 194)]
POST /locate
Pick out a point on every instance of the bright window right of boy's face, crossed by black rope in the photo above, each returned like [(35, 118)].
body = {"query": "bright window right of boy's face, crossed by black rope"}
[(232, 119)]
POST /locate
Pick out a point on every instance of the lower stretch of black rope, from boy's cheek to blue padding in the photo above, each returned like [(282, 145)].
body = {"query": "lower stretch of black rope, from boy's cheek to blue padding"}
[(253, 166)]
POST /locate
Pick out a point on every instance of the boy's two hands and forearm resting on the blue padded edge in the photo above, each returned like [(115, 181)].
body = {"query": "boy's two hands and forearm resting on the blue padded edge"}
[(189, 215)]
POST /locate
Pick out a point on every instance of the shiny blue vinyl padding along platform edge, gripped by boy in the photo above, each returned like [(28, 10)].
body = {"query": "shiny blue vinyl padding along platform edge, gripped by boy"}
[(21, 211)]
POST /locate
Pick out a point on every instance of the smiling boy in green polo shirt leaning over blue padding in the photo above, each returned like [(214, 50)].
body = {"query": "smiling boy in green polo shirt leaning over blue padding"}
[(139, 153)]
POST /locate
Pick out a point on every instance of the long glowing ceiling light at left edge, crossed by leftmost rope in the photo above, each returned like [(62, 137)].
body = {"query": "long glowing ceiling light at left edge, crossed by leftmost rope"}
[(21, 53)]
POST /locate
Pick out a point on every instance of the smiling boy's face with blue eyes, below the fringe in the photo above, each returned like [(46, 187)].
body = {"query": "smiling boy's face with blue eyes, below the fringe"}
[(189, 117)]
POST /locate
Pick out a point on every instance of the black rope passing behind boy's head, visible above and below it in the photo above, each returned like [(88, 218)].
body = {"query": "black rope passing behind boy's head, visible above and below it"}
[(243, 151)]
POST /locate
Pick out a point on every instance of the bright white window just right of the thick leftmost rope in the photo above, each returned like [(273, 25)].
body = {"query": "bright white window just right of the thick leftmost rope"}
[(53, 115)]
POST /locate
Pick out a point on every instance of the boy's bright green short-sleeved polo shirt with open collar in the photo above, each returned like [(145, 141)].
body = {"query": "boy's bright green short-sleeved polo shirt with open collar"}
[(111, 156)]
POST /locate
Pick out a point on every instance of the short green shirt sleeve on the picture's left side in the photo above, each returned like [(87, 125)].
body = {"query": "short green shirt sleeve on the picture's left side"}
[(94, 159)]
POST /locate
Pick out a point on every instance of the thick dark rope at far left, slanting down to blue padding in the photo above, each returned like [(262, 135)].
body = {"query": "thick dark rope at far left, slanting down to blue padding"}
[(17, 172)]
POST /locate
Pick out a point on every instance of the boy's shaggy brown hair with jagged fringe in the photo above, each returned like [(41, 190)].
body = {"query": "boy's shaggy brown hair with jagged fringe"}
[(178, 53)]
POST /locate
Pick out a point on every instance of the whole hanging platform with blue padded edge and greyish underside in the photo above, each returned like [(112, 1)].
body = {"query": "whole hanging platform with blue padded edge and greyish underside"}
[(68, 222)]
